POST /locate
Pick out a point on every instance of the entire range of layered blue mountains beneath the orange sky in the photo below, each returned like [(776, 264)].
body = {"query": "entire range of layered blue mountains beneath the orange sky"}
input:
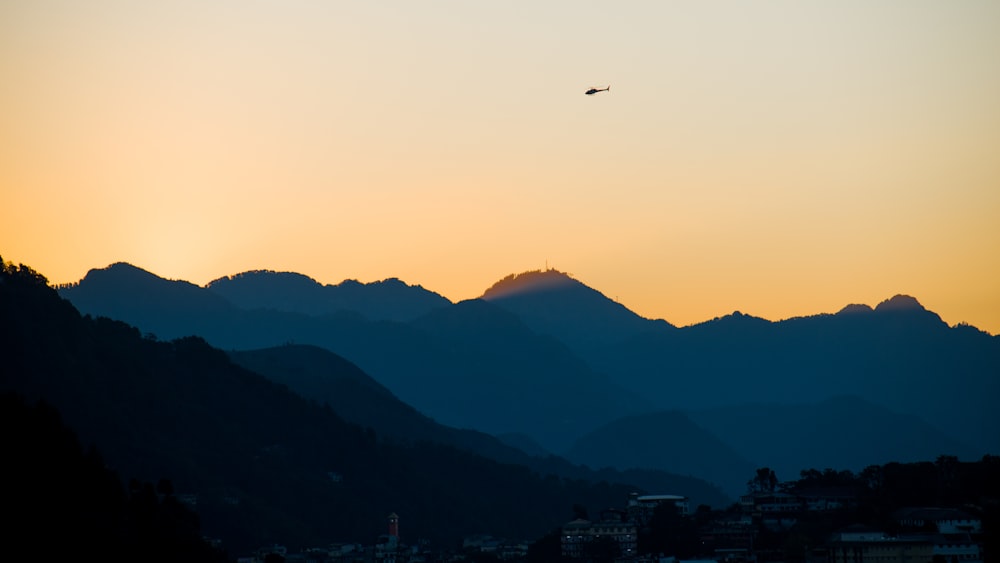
[(541, 355)]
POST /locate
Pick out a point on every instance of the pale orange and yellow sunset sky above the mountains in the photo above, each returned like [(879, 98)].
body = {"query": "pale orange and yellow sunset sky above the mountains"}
[(781, 158)]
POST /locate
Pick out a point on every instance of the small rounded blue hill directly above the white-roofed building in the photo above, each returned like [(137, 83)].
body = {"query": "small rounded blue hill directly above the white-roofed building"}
[(667, 441)]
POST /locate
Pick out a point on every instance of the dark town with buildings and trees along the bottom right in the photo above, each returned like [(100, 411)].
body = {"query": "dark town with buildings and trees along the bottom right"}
[(941, 511)]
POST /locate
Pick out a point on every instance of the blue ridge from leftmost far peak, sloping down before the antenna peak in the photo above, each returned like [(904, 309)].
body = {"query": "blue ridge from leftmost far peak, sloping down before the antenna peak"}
[(468, 365)]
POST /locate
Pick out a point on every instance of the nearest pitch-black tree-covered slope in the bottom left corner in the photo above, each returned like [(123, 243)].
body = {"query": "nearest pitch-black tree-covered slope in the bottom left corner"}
[(63, 502)]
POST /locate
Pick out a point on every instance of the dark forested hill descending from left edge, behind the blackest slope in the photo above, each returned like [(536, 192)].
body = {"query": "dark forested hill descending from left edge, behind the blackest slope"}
[(264, 464)]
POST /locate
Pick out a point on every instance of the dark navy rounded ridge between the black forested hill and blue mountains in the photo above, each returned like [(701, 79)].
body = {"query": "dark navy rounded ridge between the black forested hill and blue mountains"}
[(320, 375)]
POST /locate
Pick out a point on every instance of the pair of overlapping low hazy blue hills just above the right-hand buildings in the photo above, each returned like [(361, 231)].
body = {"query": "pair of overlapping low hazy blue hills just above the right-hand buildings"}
[(725, 444)]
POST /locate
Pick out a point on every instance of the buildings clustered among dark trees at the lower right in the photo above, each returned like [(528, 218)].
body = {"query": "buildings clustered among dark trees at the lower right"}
[(916, 534)]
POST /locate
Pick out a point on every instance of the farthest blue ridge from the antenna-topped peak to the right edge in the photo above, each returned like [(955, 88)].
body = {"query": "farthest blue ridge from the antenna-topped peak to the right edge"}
[(897, 354)]
